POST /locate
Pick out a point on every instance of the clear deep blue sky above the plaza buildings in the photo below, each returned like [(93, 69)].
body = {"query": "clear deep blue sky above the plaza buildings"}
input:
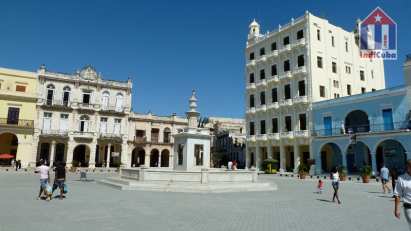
[(168, 47)]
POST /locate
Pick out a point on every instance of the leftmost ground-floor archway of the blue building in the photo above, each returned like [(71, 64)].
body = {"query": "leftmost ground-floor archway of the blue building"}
[(330, 157)]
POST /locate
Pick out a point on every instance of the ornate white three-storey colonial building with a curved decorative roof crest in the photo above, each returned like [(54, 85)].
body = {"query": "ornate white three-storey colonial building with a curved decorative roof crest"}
[(82, 119)]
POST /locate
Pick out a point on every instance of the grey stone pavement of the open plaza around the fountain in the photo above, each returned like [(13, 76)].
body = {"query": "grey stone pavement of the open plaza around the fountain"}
[(294, 206)]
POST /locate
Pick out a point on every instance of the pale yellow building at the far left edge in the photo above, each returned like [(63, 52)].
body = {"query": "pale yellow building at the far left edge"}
[(18, 96)]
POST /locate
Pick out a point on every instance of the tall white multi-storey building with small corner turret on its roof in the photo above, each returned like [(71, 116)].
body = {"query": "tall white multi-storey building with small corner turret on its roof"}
[(304, 61)]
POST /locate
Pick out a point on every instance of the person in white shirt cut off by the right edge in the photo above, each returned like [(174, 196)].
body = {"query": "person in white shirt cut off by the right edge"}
[(403, 190)]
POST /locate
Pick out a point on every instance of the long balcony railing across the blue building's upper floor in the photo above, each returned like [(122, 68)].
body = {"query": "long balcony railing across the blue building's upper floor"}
[(365, 128)]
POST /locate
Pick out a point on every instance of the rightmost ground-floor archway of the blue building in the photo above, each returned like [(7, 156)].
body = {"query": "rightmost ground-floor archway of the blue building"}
[(392, 154)]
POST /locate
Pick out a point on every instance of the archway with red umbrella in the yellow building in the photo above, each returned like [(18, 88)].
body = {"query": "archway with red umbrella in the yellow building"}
[(8, 145)]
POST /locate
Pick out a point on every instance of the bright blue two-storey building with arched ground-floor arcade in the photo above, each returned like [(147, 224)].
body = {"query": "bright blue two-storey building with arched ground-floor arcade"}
[(368, 129)]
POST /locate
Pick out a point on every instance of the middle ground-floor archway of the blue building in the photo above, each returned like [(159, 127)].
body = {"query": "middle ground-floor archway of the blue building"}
[(358, 154)]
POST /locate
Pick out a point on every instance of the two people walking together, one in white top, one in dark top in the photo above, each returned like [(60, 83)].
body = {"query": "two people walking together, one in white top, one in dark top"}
[(59, 180)]
